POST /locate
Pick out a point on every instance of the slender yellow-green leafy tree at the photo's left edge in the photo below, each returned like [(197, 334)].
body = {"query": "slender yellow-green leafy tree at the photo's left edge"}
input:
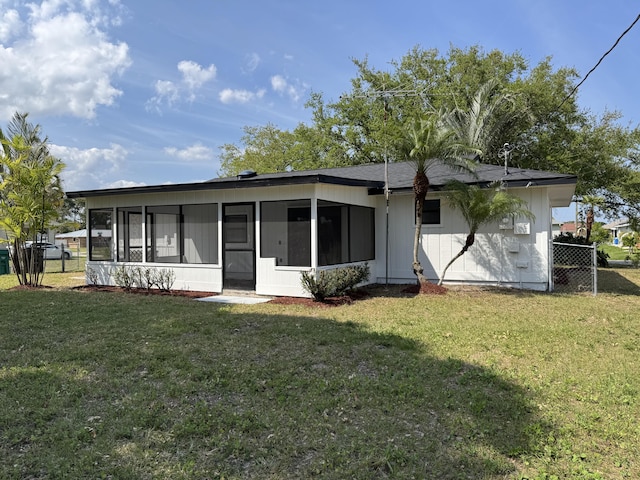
[(30, 194)]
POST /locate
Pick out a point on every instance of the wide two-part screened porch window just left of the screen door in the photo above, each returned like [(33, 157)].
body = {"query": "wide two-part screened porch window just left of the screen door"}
[(182, 234)]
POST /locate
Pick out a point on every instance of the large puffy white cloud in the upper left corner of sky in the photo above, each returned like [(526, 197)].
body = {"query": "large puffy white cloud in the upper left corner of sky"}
[(61, 63)]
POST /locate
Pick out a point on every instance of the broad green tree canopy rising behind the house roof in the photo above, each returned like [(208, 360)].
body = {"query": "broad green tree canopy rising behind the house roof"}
[(550, 132)]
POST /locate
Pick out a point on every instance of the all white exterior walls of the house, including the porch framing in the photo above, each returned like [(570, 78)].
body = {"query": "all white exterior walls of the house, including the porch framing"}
[(511, 257)]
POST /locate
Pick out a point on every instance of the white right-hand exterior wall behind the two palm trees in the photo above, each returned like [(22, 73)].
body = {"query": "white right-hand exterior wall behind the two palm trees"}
[(515, 257)]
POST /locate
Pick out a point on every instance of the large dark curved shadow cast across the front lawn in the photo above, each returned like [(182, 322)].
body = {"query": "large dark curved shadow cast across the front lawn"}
[(174, 389)]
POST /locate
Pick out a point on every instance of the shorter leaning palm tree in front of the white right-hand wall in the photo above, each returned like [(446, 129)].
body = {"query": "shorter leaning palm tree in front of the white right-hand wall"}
[(480, 206)]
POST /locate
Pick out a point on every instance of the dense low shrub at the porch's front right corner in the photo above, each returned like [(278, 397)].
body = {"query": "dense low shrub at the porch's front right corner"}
[(336, 282)]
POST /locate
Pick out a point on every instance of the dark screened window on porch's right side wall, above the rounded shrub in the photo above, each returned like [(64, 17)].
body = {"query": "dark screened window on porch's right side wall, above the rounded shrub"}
[(345, 233)]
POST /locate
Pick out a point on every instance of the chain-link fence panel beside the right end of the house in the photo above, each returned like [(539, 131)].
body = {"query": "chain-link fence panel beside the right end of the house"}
[(575, 268)]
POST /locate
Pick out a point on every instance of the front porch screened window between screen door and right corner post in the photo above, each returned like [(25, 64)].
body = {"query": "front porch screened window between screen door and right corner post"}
[(285, 232)]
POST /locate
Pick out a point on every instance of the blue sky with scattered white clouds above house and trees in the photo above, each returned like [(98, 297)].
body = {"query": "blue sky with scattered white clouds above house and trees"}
[(145, 92)]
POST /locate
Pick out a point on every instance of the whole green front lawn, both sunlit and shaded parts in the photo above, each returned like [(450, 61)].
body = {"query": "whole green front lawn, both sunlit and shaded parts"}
[(472, 384)]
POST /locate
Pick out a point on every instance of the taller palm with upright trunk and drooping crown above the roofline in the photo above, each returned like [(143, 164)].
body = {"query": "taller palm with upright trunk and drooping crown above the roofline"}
[(430, 141)]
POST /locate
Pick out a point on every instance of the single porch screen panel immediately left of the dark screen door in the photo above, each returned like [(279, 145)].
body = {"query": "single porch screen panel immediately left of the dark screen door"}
[(200, 233)]
